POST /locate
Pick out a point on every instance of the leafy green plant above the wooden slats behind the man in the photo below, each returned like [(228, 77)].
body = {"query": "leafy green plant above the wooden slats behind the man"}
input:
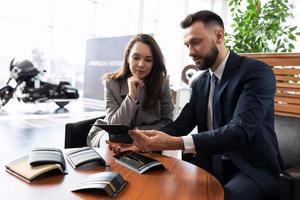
[(261, 27)]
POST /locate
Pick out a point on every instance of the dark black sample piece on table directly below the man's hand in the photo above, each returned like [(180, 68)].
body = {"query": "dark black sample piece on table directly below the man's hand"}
[(137, 162)]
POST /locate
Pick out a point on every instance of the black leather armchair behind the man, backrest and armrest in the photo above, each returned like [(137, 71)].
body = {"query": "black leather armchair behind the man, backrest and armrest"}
[(288, 135)]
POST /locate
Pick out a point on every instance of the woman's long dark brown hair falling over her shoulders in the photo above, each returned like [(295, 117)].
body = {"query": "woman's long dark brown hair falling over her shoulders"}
[(154, 79)]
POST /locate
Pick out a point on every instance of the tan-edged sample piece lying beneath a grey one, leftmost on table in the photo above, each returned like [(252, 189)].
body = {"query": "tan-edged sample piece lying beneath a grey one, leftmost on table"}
[(22, 169)]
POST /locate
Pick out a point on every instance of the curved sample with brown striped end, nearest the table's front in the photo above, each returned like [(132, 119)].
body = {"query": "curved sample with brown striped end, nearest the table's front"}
[(110, 183)]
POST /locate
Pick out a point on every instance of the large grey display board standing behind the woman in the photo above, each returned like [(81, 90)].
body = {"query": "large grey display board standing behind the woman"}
[(103, 55)]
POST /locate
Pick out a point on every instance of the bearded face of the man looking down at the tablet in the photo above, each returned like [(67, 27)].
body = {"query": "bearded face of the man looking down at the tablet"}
[(201, 44)]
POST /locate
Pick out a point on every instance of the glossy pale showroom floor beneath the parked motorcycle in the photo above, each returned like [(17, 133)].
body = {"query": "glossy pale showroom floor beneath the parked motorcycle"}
[(25, 126)]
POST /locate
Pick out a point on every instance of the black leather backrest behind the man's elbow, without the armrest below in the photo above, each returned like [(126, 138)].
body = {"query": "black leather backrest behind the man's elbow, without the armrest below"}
[(288, 135)]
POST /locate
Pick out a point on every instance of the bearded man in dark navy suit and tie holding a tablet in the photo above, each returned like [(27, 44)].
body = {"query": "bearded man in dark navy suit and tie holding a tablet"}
[(232, 105)]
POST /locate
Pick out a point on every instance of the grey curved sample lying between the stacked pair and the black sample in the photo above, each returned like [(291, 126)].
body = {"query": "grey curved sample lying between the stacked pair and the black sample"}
[(80, 156)]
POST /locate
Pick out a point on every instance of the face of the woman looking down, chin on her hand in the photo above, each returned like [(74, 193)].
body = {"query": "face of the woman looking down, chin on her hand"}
[(140, 60)]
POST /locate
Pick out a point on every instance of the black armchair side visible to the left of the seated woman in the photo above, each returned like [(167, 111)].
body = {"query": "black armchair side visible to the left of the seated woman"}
[(76, 133)]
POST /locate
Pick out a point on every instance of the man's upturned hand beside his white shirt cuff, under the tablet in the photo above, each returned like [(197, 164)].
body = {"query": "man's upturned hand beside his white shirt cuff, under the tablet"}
[(152, 140)]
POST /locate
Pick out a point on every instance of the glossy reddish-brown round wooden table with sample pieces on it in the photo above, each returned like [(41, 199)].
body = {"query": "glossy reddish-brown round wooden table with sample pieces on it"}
[(181, 180)]
